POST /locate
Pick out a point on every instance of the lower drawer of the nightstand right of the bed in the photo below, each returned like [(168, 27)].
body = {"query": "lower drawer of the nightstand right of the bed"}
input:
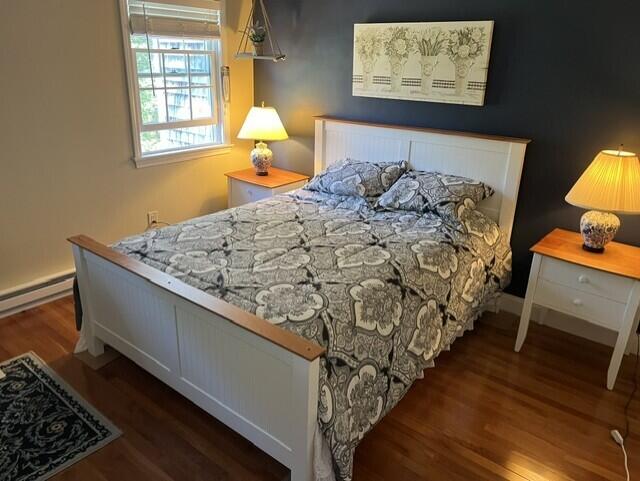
[(604, 312)]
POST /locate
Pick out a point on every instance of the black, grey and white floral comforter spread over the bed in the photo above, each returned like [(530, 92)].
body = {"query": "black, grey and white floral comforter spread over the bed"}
[(384, 292)]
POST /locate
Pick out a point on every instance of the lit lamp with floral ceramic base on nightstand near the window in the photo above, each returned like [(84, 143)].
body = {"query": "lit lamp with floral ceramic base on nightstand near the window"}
[(262, 123)]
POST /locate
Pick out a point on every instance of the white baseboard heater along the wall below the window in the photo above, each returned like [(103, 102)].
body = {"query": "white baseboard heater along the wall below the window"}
[(37, 292)]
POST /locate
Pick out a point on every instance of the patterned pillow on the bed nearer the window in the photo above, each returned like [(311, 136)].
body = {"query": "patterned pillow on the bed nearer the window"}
[(357, 178)]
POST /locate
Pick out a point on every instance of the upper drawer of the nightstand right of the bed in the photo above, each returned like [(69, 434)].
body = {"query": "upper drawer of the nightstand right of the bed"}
[(584, 279)]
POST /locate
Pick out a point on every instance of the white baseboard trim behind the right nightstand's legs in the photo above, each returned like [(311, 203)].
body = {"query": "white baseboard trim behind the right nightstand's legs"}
[(562, 322)]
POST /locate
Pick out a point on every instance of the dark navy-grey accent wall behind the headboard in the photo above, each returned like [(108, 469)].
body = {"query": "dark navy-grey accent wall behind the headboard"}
[(563, 73)]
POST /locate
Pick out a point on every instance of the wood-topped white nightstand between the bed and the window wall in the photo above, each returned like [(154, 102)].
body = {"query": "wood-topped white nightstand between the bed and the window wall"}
[(245, 186)]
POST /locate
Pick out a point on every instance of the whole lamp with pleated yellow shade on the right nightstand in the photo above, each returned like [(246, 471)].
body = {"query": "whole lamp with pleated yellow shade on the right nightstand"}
[(609, 186)]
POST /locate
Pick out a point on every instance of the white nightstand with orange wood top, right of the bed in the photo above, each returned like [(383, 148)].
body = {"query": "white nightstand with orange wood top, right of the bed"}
[(603, 289)]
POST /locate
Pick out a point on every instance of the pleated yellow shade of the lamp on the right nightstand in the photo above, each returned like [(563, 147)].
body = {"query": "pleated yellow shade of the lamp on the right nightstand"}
[(611, 184)]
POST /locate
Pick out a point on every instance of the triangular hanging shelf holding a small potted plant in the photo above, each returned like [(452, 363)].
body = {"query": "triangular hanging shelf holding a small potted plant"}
[(257, 40)]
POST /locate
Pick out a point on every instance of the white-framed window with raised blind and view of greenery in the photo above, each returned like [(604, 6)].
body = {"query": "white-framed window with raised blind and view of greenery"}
[(174, 52)]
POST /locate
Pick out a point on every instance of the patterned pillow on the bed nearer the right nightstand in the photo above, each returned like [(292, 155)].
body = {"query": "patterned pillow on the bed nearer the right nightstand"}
[(441, 193)]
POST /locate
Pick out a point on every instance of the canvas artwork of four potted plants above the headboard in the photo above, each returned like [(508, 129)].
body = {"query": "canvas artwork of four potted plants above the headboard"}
[(430, 61)]
